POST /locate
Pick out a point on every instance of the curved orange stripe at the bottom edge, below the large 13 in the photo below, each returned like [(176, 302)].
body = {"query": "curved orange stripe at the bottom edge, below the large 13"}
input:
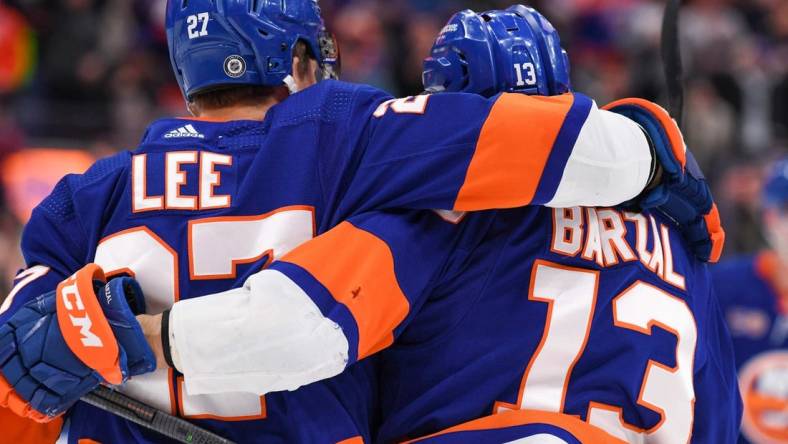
[(586, 433)]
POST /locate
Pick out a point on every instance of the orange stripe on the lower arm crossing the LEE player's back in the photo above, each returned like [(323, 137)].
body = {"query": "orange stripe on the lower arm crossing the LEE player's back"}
[(357, 268)]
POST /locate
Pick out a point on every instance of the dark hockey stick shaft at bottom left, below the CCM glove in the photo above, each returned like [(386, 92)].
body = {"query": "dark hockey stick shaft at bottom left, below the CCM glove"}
[(146, 416)]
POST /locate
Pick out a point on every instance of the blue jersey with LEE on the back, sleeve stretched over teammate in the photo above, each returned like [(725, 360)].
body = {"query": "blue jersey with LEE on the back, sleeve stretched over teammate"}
[(201, 206)]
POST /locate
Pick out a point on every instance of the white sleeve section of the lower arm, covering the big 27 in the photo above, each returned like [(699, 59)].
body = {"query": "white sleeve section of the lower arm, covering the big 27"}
[(267, 336)]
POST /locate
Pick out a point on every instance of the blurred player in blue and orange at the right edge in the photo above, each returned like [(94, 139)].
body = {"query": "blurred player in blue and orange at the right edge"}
[(753, 292)]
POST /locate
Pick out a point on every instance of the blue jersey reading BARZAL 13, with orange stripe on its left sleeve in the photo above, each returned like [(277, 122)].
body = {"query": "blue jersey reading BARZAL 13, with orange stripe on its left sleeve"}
[(593, 313)]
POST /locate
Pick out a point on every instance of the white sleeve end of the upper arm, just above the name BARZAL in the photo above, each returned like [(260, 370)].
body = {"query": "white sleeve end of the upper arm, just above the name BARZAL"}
[(610, 163)]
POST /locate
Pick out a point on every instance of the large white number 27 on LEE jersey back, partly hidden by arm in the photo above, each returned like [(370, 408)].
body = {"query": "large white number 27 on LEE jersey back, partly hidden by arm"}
[(215, 247)]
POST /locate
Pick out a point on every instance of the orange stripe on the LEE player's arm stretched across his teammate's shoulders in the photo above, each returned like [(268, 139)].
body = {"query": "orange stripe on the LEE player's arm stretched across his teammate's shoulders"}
[(504, 173)]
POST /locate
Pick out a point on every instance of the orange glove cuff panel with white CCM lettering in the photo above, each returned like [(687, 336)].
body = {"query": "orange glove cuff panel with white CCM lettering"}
[(84, 326)]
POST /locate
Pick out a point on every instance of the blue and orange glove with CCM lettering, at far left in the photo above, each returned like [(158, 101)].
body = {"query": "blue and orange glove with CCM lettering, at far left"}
[(61, 345)]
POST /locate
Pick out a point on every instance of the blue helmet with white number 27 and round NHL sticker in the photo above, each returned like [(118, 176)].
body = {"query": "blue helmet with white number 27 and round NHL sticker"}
[(220, 43)]
